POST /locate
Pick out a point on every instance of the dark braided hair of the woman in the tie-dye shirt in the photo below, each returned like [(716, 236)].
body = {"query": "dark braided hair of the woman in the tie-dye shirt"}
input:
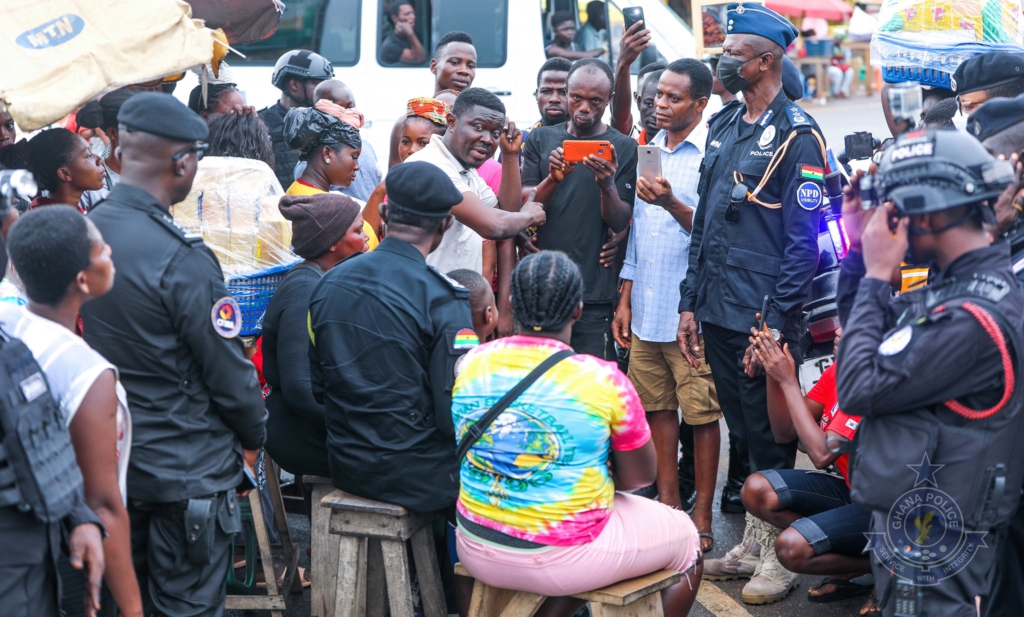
[(547, 288)]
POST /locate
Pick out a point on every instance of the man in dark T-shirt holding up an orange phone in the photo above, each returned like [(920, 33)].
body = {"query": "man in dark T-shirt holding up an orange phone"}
[(585, 174)]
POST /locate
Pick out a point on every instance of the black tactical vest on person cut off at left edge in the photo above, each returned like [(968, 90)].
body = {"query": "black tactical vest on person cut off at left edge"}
[(38, 471)]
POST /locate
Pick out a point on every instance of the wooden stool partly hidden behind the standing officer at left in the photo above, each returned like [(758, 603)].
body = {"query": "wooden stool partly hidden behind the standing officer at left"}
[(275, 599)]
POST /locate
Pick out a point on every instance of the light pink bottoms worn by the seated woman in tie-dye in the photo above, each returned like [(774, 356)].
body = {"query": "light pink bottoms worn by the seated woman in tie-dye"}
[(642, 537)]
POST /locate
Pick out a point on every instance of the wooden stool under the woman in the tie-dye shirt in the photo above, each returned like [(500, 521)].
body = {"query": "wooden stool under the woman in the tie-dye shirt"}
[(633, 598)]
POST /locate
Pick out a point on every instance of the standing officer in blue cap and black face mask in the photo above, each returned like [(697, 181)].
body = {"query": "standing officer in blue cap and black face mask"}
[(757, 227)]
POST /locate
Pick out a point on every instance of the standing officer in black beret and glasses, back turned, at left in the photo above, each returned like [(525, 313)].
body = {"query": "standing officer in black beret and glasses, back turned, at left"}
[(172, 328)]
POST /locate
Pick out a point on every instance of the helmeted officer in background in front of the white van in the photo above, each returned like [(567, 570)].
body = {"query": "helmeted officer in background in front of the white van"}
[(296, 75)]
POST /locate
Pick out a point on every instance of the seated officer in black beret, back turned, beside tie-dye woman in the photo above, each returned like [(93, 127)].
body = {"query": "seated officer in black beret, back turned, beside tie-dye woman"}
[(388, 331)]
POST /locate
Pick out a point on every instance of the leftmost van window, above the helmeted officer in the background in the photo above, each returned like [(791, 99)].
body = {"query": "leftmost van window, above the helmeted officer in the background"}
[(330, 28)]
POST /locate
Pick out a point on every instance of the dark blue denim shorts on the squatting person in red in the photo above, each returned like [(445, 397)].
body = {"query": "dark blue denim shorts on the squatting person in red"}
[(832, 522)]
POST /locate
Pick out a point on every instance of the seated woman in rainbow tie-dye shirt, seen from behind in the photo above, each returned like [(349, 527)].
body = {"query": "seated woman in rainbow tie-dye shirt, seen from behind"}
[(538, 509)]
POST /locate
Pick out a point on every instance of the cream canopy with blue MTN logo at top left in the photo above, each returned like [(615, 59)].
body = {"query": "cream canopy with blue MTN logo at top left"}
[(61, 54)]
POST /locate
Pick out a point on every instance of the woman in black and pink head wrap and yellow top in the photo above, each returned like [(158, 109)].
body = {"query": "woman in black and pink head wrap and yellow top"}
[(331, 150)]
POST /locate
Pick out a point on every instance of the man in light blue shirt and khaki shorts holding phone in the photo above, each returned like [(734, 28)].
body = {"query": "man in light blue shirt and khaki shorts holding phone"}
[(649, 316)]
